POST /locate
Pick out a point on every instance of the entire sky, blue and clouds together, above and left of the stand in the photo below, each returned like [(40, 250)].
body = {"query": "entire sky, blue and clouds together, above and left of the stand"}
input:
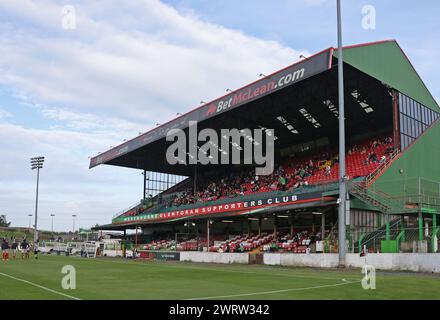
[(69, 94)]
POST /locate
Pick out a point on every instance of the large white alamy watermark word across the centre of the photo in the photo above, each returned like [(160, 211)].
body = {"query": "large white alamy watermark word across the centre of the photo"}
[(224, 149)]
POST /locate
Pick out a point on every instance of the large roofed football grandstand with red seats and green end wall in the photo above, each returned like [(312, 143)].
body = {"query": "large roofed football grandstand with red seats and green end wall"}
[(393, 134)]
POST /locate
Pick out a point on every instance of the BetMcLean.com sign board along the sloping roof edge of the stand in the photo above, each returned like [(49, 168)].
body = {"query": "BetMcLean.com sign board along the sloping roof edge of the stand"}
[(277, 81)]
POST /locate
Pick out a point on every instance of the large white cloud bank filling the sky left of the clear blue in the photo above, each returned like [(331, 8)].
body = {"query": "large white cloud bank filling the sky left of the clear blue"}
[(127, 66)]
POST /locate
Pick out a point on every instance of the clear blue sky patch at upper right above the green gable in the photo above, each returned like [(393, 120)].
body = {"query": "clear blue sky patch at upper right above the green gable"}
[(310, 25)]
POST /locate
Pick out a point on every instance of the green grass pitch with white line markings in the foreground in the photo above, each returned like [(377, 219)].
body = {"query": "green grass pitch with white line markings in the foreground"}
[(107, 278)]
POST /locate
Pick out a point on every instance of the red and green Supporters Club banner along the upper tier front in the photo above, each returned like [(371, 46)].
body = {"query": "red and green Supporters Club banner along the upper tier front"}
[(239, 207)]
